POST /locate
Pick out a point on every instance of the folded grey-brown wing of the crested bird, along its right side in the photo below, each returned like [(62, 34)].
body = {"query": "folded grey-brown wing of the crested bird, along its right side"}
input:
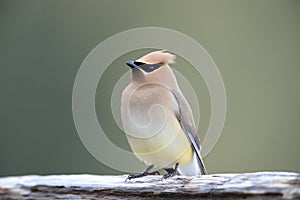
[(186, 120)]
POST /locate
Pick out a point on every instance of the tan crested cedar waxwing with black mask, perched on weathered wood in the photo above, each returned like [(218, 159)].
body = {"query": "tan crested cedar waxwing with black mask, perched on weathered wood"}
[(158, 120)]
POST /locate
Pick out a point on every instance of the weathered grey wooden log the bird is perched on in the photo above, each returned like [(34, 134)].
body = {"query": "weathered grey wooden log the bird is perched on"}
[(261, 185)]
